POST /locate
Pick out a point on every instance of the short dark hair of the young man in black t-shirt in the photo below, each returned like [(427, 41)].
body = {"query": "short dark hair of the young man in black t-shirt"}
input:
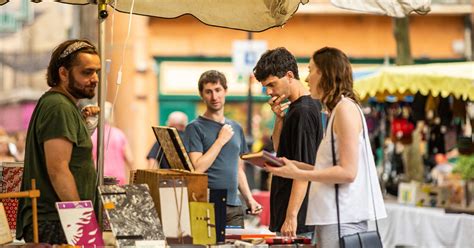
[(276, 62)]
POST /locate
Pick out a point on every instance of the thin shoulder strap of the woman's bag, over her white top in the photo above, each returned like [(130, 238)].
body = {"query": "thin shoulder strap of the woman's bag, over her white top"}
[(368, 168)]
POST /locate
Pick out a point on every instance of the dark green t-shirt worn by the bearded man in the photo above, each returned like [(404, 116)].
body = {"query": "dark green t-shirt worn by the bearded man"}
[(55, 116)]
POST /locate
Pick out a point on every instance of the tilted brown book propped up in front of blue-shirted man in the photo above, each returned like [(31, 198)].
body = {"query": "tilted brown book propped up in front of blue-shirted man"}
[(173, 148)]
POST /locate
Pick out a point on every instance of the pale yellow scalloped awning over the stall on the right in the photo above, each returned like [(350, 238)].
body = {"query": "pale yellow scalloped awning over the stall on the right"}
[(438, 79)]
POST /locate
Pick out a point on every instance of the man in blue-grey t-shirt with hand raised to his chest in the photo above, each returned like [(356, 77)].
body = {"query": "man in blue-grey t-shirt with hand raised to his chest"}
[(215, 144)]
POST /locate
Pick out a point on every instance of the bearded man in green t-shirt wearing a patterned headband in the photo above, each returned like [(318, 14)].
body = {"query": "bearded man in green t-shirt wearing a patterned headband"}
[(58, 145)]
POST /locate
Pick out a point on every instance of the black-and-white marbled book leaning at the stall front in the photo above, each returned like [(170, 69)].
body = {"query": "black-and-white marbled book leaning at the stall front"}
[(131, 213)]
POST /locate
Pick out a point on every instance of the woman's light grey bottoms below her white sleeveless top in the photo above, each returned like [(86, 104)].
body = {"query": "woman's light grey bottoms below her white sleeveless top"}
[(328, 236)]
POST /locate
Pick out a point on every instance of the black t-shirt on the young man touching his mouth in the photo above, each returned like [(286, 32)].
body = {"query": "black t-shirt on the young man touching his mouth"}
[(299, 140)]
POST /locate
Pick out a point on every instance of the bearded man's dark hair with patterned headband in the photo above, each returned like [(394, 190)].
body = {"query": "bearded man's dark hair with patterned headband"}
[(65, 55)]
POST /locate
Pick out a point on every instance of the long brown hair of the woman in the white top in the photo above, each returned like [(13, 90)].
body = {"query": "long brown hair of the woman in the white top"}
[(336, 79)]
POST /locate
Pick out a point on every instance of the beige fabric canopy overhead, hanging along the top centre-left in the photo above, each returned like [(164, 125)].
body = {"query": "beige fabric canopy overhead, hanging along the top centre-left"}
[(247, 15)]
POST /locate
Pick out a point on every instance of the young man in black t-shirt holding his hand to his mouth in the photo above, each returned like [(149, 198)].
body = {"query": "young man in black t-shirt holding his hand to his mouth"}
[(296, 135)]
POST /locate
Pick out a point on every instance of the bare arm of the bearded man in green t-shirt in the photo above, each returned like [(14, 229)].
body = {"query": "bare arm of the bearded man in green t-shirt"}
[(58, 155)]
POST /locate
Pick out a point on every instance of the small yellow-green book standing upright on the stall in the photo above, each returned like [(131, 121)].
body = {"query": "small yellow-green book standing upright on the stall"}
[(203, 224)]
